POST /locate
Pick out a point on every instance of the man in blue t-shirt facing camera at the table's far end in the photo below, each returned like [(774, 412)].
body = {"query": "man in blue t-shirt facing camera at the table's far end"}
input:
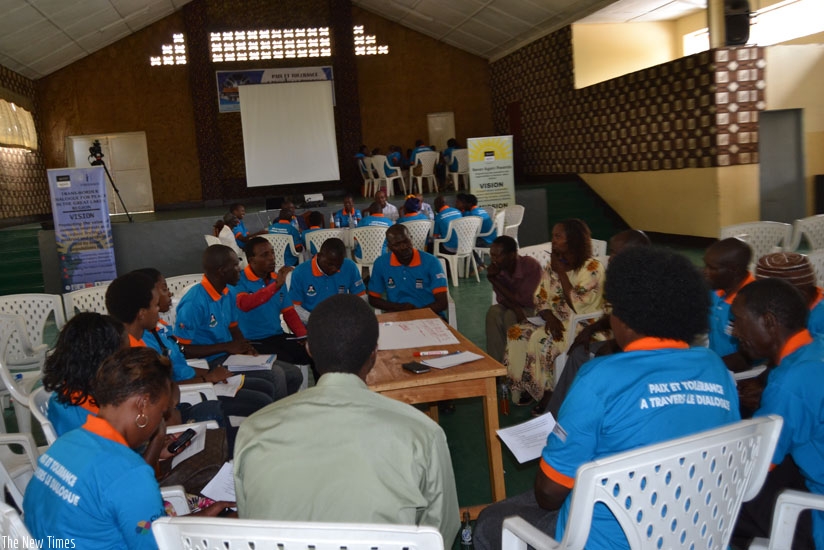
[(409, 278)]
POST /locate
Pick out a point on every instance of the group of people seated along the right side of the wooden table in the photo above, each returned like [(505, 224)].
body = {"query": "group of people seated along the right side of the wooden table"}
[(666, 323)]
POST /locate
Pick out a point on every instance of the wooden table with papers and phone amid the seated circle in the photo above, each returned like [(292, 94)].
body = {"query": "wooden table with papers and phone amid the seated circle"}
[(475, 379)]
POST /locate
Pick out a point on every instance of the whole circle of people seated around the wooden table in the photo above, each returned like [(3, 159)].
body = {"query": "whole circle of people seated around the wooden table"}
[(340, 452)]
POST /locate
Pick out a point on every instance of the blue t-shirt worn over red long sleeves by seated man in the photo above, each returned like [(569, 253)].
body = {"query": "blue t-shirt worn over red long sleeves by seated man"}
[(264, 320)]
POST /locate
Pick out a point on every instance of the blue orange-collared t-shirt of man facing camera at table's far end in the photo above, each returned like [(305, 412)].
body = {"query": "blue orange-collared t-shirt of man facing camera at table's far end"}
[(416, 283)]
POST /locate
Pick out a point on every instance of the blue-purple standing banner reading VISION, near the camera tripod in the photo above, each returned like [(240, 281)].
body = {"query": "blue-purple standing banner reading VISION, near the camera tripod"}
[(82, 227)]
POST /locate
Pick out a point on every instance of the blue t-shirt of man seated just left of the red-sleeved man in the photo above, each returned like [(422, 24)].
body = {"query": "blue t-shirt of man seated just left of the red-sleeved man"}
[(206, 316)]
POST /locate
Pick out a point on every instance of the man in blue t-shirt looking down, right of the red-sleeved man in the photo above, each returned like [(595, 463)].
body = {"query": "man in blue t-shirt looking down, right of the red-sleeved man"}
[(330, 272)]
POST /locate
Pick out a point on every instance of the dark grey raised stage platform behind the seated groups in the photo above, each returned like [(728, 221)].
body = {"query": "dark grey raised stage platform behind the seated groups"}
[(172, 240)]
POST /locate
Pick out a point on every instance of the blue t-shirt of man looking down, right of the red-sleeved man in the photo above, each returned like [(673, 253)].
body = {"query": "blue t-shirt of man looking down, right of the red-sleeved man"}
[(310, 285)]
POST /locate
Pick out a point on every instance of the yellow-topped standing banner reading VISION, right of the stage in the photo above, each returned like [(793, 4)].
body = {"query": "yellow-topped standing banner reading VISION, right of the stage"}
[(491, 171)]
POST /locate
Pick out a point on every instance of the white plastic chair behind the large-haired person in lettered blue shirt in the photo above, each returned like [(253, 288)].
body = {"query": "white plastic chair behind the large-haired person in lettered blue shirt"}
[(687, 489)]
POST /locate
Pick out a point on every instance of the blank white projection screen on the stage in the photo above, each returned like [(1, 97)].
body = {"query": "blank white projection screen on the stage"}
[(289, 133)]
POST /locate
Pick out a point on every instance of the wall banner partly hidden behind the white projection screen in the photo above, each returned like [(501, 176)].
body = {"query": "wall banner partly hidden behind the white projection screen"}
[(229, 81)]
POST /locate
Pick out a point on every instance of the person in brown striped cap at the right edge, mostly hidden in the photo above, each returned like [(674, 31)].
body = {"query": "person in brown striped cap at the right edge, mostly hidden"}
[(796, 269)]
